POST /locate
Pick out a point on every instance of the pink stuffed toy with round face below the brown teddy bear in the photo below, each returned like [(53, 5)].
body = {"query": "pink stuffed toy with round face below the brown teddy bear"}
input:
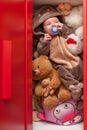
[(65, 113)]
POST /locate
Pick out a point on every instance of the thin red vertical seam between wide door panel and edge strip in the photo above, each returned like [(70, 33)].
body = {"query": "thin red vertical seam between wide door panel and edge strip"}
[(25, 65)]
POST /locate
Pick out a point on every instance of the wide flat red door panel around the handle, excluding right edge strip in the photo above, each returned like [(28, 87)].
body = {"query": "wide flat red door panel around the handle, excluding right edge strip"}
[(12, 28)]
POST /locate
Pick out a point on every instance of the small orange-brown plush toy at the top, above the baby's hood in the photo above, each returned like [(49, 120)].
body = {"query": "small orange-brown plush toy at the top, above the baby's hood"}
[(64, 8)]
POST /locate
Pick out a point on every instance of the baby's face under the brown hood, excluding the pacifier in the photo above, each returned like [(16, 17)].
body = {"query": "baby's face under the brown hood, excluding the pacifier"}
[(51, 22)]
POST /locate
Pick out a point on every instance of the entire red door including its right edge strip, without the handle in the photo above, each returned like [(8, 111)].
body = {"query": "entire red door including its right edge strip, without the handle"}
[(18, 110)]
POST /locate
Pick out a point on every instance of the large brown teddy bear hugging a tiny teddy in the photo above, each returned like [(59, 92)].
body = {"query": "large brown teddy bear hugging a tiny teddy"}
[(48, 85)]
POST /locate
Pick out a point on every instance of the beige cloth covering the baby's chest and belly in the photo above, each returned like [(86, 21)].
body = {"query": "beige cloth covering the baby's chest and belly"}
[(60, 54)]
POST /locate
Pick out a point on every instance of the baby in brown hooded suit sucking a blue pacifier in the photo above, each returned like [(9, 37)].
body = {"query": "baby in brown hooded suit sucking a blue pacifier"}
[(53, 43)]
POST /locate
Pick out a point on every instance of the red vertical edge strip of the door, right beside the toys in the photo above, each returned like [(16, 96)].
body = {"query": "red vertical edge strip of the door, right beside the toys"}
[(28, 64)]
